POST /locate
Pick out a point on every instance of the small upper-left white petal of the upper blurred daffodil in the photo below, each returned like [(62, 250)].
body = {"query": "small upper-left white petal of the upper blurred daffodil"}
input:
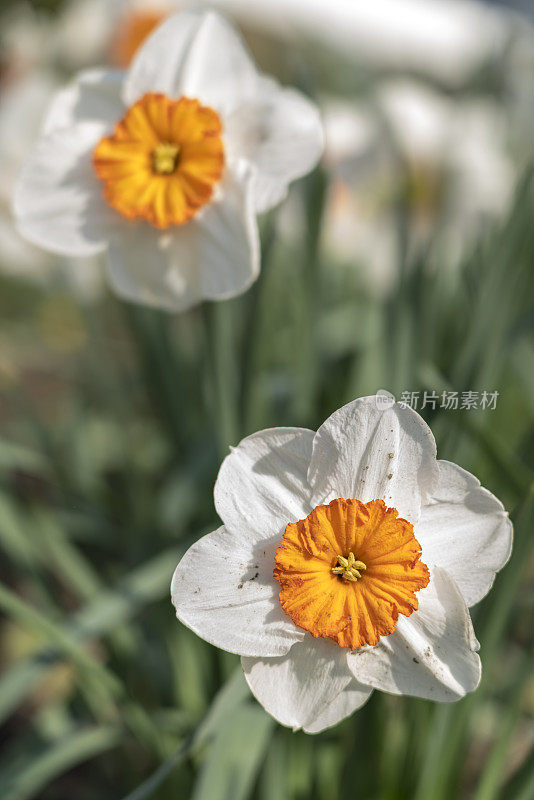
[(94, 96)]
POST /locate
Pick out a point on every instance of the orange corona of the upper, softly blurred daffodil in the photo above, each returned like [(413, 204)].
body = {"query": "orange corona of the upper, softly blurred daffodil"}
[(163, 160)]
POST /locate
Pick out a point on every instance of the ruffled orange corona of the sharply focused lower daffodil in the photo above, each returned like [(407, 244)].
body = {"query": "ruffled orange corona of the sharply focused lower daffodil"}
[(353, 600)]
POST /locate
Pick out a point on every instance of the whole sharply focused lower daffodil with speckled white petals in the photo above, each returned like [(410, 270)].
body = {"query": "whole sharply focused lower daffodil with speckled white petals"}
[(346, 562)]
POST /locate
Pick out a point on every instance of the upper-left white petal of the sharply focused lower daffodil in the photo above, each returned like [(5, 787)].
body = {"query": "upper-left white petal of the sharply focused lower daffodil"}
[(261, 485)]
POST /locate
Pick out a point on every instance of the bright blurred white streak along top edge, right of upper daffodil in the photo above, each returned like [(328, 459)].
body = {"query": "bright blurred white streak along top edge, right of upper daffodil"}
[(435, 38)]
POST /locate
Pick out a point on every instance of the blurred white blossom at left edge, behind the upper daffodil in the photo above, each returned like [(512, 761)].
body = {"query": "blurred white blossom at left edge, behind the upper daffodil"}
[(23, 102)]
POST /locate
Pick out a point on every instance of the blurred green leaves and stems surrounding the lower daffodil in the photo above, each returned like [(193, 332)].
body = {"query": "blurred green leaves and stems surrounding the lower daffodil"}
[(107, 463)]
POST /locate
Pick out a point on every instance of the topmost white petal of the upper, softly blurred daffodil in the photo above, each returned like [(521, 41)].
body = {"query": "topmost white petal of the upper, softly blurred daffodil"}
[(198, 55)]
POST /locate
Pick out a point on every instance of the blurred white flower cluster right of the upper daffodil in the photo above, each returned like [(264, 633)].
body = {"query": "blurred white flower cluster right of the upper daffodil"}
[(447, 159)]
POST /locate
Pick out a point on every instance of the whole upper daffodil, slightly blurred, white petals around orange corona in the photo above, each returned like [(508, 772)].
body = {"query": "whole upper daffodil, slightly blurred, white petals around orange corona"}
[(166, 166)]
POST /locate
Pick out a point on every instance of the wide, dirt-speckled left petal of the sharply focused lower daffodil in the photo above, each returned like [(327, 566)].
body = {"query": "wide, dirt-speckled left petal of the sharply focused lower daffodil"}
[(224, 590)]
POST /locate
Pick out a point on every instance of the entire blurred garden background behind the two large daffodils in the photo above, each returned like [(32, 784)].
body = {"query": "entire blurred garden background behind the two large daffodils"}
[(405, 262)]
